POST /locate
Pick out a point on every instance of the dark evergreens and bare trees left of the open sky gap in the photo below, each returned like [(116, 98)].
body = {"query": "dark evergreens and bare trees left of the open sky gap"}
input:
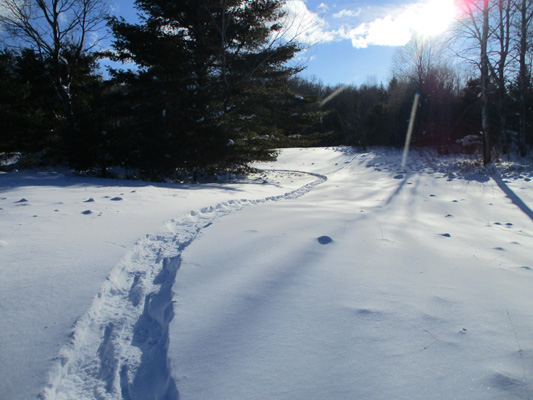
[(210, 89)]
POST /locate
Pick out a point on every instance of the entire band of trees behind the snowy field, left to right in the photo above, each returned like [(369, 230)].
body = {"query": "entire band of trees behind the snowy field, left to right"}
[(214, 88)]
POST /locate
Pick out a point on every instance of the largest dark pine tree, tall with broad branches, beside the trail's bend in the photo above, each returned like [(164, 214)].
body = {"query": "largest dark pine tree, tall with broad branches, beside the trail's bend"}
[(210, 80)]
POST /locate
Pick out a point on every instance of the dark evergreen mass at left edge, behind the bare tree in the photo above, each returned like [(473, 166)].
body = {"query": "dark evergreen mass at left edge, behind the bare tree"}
[(34, 122)]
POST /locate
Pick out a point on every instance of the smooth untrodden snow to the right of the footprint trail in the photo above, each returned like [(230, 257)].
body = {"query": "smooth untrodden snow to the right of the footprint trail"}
[(378, 284)]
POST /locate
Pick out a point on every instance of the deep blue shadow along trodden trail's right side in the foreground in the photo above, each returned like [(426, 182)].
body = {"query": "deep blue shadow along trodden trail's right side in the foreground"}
[(153, 379)]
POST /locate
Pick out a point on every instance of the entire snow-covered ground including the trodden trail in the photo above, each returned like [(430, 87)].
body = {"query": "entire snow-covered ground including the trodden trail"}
[(333, 275)]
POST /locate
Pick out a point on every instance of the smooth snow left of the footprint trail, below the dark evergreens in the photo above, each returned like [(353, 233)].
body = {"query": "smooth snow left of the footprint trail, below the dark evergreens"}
[(61, 235)]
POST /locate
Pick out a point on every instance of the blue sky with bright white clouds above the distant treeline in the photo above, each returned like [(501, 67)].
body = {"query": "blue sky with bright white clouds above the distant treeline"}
[(352, 41)]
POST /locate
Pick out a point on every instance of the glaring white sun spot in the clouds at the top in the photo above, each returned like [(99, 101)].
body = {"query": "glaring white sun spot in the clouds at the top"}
[(433, 17)]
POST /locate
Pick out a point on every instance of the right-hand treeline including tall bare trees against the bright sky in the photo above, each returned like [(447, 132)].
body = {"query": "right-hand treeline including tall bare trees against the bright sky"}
[(458, 110)]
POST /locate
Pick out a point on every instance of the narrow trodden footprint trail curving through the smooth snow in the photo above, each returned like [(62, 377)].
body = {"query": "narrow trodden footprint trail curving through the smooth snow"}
[(119, 347)]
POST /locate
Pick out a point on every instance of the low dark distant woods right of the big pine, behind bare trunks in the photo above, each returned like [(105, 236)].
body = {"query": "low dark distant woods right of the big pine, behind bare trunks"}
[(448, 115)]
